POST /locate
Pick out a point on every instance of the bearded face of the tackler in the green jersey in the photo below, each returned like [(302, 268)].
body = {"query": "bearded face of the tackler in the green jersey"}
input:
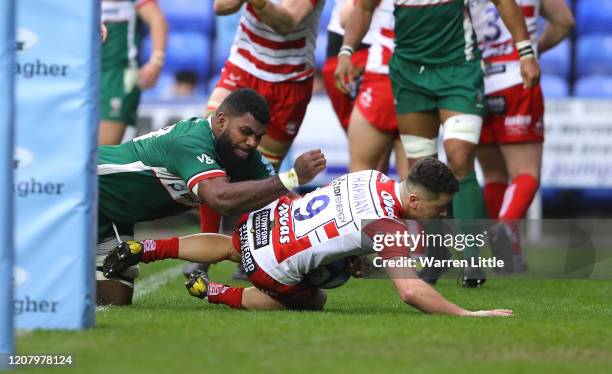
[(240, 137)]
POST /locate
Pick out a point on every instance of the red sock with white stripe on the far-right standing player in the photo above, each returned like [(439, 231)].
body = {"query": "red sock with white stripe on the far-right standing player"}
[(518, 197)]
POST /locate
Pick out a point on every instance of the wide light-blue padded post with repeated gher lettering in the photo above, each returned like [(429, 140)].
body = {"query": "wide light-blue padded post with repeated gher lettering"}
[(55, 185)]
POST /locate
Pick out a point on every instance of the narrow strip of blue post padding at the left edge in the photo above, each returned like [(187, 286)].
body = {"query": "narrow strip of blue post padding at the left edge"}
[(7, 51)]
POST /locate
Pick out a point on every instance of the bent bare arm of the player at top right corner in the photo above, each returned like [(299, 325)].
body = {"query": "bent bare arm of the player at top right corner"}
[(559, 26)]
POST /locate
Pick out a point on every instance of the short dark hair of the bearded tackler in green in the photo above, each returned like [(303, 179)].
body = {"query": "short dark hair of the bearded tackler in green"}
[(246, 100)]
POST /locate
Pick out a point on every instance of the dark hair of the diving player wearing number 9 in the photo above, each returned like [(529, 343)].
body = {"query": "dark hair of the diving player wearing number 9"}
[(433, 175)]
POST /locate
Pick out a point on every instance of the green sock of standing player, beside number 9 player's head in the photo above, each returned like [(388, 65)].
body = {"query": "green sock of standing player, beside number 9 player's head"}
[(468, 204)]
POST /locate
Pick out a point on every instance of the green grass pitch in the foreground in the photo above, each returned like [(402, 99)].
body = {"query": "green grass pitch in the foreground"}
[(559, 326)]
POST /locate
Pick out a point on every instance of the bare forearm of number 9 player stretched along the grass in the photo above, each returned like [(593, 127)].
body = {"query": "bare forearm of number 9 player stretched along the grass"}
[(425, 298)]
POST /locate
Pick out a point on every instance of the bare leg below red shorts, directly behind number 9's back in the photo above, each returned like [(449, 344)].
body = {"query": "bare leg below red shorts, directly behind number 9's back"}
[(368, 147)]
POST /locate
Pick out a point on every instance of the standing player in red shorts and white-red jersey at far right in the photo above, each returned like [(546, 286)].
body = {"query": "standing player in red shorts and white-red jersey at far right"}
[(510, 149)]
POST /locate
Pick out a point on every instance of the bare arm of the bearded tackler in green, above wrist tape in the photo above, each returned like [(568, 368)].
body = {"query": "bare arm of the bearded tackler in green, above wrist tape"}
[(239, 197)]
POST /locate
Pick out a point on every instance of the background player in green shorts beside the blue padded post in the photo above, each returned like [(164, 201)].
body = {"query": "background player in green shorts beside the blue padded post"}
[(121, 79)]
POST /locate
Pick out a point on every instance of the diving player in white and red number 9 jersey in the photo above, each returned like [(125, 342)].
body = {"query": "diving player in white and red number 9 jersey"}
[(281, 243)]
